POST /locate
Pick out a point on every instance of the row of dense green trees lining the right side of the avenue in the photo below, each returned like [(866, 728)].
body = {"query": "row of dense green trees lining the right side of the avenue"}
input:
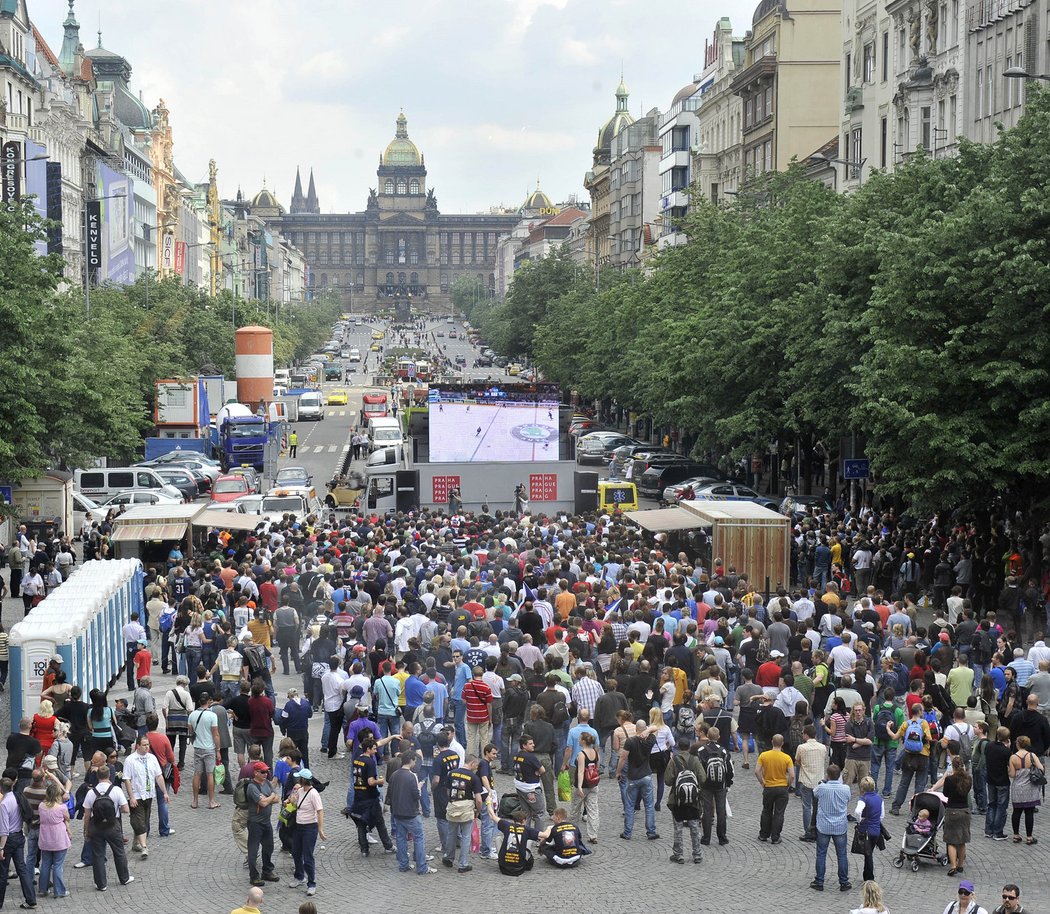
[(914, 314)]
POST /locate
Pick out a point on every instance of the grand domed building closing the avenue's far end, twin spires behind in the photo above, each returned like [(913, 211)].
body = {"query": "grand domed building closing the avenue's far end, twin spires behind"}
[(402, 246)]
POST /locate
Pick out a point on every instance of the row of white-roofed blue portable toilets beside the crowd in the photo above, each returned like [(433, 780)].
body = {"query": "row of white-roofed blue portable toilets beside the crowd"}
[(81, 622)]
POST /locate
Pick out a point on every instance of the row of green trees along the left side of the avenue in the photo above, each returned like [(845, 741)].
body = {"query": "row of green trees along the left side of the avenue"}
[(76, 389)]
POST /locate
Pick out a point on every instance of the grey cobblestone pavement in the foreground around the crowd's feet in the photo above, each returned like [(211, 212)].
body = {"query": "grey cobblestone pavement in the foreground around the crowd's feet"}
[(199, 870)]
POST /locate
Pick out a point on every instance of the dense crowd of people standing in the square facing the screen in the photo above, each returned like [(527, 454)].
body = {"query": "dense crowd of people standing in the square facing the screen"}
[(511, 677)]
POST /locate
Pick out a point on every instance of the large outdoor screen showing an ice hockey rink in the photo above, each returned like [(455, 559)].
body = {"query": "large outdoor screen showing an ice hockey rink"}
[(494, 423)]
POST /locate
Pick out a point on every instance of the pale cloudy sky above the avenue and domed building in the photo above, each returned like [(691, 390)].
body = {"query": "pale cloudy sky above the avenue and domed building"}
[(497, 93)]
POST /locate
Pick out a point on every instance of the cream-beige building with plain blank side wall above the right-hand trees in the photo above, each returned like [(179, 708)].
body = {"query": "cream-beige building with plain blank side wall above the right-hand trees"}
[(790, 82)]
